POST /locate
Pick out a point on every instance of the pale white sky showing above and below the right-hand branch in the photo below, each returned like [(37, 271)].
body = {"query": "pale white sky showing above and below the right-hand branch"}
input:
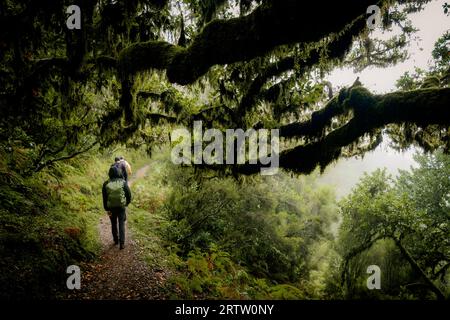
[(345, 173)]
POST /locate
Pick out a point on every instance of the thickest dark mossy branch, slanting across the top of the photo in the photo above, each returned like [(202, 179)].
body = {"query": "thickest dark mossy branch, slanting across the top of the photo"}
[(240, 39)]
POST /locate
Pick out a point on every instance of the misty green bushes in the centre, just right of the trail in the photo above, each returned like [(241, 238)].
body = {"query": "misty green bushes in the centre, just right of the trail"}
[(268, 226)]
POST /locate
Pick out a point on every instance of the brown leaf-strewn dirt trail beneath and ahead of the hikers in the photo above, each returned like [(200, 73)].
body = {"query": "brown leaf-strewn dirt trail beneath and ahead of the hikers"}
[(119, 274)]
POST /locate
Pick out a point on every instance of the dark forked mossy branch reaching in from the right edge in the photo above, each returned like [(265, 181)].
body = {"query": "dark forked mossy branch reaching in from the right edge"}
[(370, 112)]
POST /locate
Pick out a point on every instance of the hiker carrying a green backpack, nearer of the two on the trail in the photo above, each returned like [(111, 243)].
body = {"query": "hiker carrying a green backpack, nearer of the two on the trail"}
[(116, 197)]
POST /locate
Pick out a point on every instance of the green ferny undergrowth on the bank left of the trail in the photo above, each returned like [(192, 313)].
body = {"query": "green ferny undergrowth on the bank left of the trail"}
[(48, 222)]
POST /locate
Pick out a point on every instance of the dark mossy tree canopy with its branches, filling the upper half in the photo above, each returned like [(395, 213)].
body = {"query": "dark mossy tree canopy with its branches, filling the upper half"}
[(137, 68)]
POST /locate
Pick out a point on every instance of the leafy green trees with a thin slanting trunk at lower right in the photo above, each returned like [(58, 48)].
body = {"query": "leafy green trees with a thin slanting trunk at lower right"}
[(402, 222)]
